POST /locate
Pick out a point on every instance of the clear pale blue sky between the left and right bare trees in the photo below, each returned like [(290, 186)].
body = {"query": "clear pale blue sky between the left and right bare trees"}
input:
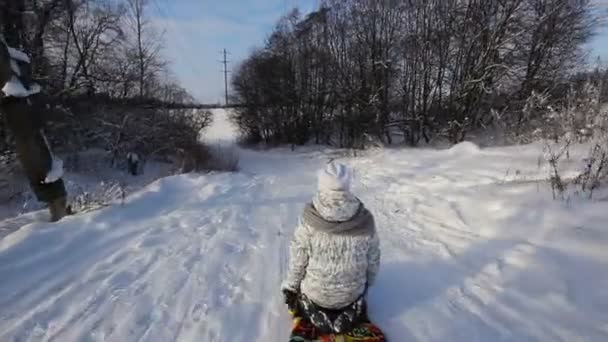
[(196, 31)]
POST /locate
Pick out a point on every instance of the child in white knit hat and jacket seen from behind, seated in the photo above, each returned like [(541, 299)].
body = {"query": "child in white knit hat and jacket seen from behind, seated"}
[(334, 256)]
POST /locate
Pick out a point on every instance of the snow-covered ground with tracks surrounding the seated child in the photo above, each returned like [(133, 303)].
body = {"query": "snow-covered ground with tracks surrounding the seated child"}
[(473, 249)]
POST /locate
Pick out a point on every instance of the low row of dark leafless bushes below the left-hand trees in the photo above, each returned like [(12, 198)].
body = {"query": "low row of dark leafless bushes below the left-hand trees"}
[(151, 133)]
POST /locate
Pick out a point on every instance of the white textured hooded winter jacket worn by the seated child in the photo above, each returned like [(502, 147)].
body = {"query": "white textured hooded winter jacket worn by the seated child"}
[(332, 262)]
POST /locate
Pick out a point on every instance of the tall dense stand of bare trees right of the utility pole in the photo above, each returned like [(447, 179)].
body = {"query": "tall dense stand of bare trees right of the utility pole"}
[(359, 69)]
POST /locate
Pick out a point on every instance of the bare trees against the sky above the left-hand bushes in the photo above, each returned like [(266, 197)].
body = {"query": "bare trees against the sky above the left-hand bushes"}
[(91, 47)]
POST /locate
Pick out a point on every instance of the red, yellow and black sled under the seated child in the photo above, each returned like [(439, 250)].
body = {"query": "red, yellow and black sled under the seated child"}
[(304, 331)]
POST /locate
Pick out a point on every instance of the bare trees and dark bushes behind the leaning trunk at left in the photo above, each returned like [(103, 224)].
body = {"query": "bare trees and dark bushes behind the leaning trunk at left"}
[(105, 84)]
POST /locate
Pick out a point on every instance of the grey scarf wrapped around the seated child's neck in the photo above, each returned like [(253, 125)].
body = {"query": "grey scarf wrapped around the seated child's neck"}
[(362, 223)]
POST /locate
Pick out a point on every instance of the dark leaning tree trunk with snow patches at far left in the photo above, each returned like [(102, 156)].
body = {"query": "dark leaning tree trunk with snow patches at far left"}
[(23, 109)]
